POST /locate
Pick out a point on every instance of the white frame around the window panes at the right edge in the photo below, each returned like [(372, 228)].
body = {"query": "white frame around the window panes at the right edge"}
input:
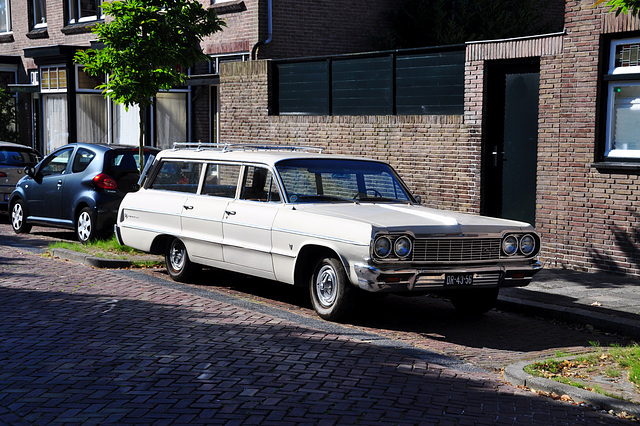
[(610, 151)]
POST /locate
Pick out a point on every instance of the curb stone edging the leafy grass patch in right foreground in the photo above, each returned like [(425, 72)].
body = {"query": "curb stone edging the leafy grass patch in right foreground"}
[(516, 375)]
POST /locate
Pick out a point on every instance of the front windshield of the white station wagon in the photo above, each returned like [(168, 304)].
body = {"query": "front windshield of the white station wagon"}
[(330, 180)]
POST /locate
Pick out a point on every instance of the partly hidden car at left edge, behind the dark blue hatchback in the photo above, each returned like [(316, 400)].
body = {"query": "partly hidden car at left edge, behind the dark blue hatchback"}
[(13, 159)]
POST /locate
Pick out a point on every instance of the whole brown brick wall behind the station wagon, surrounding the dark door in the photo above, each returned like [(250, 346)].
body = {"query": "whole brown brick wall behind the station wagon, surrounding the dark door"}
[(589, 218)]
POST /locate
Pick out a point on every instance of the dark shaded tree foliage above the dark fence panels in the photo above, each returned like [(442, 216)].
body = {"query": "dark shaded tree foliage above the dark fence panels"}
[(419, 23)]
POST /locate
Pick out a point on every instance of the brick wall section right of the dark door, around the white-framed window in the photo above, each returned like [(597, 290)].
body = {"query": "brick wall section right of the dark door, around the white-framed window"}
[(592, 216)]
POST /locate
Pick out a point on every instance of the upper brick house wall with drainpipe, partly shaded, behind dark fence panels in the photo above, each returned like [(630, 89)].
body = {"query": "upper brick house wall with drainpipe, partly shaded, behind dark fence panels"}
[(300, 27)]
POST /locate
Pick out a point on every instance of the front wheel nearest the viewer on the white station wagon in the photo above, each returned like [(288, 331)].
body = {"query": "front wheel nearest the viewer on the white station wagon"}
[(330, 290)]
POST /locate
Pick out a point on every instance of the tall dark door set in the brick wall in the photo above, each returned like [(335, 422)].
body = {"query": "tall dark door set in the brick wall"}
[(510, 142)]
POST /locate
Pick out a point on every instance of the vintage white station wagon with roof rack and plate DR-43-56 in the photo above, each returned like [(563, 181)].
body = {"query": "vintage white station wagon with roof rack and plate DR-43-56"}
[(340, 225)]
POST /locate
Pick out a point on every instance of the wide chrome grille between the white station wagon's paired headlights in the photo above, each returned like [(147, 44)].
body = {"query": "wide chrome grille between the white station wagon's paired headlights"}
[(456, 249)]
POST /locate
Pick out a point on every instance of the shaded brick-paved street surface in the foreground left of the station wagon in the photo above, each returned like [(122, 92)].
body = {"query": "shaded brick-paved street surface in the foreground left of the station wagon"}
[(80, 345)]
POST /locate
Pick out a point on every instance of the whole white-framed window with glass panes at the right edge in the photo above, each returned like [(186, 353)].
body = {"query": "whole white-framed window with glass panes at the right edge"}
[(623, 100)]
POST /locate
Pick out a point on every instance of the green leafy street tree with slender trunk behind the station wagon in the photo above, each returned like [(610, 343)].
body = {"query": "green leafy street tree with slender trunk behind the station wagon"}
[(147, 45)]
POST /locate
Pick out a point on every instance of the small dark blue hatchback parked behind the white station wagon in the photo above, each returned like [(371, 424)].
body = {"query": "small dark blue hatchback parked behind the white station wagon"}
[(78, 186)]
